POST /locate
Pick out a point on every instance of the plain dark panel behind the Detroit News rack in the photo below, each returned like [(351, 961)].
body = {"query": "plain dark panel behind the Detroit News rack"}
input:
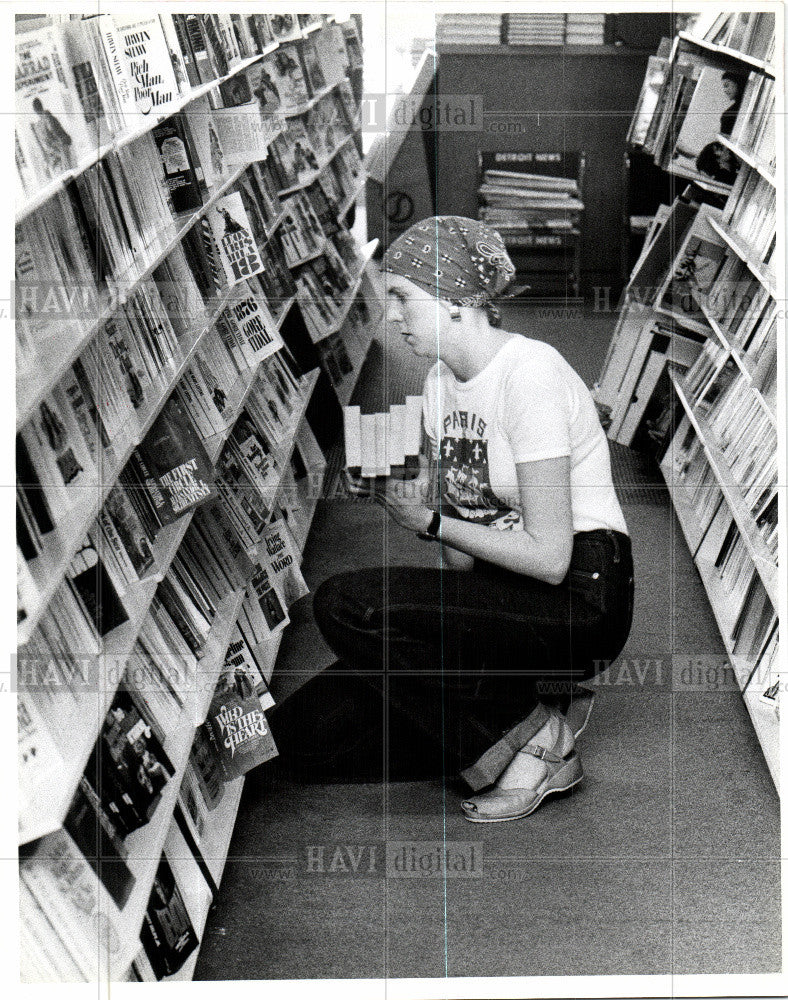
[(542, 101)]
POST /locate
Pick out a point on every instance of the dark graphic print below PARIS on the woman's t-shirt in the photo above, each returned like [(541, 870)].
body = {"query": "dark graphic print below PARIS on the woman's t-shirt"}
[(465, 470)]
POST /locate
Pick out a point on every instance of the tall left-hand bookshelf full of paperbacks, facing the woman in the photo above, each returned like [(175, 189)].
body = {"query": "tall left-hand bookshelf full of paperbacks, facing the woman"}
[(185, 336)]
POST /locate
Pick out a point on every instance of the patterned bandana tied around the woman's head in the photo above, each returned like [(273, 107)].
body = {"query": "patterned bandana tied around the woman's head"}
[(453, 258)]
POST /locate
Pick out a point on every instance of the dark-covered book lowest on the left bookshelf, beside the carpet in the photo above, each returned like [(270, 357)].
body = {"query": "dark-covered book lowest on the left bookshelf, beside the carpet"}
[(167, 934)]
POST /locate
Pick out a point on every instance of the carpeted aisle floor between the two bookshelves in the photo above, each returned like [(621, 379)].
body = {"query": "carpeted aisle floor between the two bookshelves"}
[(665, 859)]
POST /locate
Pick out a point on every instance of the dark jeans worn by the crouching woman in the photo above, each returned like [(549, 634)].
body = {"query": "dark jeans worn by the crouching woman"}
[(435, 664)]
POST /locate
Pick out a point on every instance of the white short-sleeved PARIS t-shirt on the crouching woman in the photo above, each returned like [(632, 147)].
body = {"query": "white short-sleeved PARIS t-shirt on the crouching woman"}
[(527, 404)]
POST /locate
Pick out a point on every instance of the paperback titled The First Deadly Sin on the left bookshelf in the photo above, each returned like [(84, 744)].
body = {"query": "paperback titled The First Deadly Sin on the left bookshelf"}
[(179, 473)]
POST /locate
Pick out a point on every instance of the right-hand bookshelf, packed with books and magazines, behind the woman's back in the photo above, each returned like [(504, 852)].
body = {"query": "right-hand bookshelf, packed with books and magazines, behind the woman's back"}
[(694, 372)]
